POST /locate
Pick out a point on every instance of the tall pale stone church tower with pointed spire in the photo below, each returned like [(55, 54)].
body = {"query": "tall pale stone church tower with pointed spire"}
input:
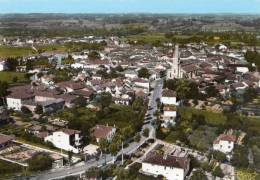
[(175, 70)]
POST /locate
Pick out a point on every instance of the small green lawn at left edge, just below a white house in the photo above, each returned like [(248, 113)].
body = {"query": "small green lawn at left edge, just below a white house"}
[(10, 76)]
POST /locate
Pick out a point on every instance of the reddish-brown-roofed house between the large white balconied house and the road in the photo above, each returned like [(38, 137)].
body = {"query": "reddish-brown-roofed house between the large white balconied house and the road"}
[(103, 132)]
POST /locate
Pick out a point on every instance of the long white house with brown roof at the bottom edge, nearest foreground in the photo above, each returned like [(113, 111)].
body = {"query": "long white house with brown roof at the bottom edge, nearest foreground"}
[(169, 166)]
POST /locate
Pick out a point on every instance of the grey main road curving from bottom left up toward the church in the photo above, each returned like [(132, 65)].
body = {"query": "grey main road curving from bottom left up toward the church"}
[(81, 167)]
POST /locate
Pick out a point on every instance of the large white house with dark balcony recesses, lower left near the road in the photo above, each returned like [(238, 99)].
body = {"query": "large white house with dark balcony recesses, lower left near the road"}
[(66, 139)]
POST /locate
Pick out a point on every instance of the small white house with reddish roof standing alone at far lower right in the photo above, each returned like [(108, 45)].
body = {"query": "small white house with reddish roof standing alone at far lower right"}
[(224, 143)]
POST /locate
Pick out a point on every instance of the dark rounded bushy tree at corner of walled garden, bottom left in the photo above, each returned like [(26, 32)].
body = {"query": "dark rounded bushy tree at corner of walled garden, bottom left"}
[(40, 162)]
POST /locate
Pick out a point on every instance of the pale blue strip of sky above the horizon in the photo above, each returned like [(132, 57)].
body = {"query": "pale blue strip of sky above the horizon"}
[(130, 6)]
